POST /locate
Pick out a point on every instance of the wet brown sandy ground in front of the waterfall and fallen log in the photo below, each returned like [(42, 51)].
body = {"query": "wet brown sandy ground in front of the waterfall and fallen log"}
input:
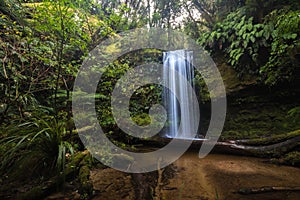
[(214, 177)]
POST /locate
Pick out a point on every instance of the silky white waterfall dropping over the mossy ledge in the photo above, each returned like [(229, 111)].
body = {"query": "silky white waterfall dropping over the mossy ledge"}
[(174, 63)]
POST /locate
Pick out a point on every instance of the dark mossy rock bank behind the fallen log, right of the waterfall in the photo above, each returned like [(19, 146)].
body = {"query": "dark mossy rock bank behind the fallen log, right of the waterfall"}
[(257, 116)]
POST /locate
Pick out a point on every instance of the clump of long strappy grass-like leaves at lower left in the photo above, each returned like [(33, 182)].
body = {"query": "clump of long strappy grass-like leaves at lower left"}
[(37, 146)]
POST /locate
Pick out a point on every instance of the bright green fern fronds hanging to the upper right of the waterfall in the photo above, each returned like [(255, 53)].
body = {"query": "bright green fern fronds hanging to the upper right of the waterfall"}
[(241, 40)]
